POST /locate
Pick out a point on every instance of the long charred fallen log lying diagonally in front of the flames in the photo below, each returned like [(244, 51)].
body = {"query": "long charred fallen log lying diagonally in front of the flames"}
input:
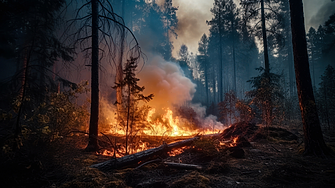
[(128, 160)]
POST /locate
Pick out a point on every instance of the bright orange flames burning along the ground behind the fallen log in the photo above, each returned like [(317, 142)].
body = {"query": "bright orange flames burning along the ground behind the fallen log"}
[(162, 125)]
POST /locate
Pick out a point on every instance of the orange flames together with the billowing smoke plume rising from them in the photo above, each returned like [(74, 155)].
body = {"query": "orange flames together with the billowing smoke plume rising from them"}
[(171, 112)]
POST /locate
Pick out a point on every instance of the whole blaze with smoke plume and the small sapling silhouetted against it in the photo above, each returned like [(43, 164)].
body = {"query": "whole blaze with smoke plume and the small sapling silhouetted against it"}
[(169, 115)]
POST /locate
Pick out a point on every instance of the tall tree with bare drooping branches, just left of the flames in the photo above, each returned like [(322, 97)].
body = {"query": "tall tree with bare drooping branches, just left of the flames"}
[(101, 27)]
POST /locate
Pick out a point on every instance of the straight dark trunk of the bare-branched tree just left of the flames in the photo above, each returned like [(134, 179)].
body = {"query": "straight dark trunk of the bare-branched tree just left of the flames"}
[(94, 118)]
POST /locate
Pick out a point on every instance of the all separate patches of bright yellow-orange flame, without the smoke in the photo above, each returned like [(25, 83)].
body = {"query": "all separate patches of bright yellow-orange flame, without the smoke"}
[(157, 123)]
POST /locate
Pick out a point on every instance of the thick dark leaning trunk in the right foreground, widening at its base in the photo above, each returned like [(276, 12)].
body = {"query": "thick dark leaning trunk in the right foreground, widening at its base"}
[(313, 138)]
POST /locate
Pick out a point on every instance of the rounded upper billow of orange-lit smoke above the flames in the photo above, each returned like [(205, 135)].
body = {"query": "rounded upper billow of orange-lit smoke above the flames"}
[(167, 82)]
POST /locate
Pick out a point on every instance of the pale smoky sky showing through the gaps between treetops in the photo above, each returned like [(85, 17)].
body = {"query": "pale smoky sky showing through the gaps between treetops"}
[(192, 15)]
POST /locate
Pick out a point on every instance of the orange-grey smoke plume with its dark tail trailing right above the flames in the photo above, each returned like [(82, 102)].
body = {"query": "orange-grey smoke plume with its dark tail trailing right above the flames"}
[(173, 90)]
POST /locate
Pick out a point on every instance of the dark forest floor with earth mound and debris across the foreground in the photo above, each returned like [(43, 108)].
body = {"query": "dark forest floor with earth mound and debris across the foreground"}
[(272, 162)]
